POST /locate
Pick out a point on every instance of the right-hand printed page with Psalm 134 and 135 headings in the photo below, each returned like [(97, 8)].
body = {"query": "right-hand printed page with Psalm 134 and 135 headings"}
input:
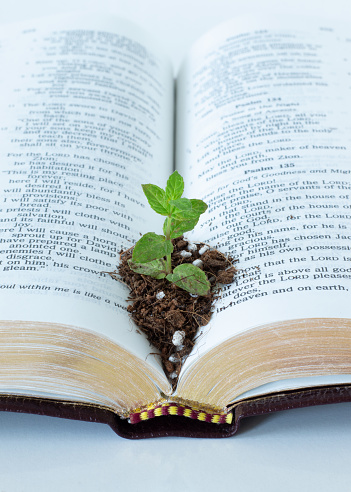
[(264, 138)]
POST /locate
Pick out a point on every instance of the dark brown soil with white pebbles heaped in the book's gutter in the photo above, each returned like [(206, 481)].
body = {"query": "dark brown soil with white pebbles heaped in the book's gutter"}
[(169, 316)]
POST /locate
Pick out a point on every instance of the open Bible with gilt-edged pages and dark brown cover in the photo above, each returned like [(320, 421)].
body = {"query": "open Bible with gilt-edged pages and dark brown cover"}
[(257, 123)]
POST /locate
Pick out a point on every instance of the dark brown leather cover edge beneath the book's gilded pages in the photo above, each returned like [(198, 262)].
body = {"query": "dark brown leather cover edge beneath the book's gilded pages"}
[(176, 425)]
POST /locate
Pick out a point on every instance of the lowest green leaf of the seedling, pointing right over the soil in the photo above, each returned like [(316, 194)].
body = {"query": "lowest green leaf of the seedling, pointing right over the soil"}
[(190, 278)]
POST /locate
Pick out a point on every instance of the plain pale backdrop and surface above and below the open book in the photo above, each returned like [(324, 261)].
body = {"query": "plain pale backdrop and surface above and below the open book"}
[(303, 450)]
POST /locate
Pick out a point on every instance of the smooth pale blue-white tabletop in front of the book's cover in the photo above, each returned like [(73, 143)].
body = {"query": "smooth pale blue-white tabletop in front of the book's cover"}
[(298, 450)]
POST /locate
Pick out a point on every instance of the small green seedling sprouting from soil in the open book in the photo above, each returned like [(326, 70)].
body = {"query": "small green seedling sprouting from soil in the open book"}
[(152, 253)]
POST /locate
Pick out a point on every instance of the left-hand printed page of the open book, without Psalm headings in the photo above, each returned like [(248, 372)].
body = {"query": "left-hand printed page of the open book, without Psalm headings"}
[(86, 117)]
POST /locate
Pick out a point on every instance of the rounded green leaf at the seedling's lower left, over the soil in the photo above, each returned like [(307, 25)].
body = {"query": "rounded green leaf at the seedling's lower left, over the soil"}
[(151, 247)]
